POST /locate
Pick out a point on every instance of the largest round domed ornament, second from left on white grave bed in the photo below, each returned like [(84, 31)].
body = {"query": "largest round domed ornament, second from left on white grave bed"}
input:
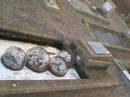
[(37, 59)]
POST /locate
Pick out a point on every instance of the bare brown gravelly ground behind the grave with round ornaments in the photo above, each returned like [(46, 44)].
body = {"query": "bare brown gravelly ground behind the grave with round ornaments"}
[(32, 17)]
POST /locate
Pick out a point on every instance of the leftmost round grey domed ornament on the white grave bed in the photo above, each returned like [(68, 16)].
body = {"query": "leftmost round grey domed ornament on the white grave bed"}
[(14, 58)]
